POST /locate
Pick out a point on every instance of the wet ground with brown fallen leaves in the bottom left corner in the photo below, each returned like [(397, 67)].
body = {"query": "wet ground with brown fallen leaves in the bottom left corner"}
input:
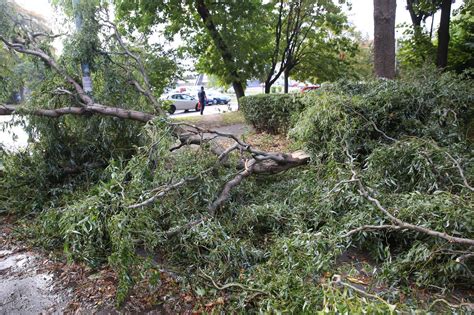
[(33, 281)]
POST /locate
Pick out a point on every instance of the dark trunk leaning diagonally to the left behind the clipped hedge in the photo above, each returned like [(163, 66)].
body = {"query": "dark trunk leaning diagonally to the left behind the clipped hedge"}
[(221, 45)]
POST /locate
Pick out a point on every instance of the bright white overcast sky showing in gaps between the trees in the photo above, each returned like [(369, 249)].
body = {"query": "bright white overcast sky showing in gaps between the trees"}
[(361, 15)]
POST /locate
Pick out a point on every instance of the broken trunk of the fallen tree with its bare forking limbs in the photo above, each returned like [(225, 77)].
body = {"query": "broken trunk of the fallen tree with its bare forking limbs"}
[(259, 162)]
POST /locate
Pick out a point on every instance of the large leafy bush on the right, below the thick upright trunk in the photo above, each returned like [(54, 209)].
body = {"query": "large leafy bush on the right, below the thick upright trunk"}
[(362, 116)]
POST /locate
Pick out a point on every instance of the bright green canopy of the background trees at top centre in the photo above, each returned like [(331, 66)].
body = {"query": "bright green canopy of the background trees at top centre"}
[(243, 40)]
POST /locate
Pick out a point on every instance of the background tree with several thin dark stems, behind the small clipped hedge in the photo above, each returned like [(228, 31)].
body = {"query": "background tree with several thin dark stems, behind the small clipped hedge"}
[(301, 28)]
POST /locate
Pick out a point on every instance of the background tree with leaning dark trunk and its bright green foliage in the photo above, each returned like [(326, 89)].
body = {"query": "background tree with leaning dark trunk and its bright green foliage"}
[(223, 36)]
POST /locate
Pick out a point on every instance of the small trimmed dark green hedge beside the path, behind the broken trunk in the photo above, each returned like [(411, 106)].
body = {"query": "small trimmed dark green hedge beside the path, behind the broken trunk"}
[(271, 112)]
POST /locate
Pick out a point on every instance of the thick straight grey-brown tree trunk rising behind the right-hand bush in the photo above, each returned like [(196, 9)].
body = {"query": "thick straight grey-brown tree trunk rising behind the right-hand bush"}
[(384, 38)]
